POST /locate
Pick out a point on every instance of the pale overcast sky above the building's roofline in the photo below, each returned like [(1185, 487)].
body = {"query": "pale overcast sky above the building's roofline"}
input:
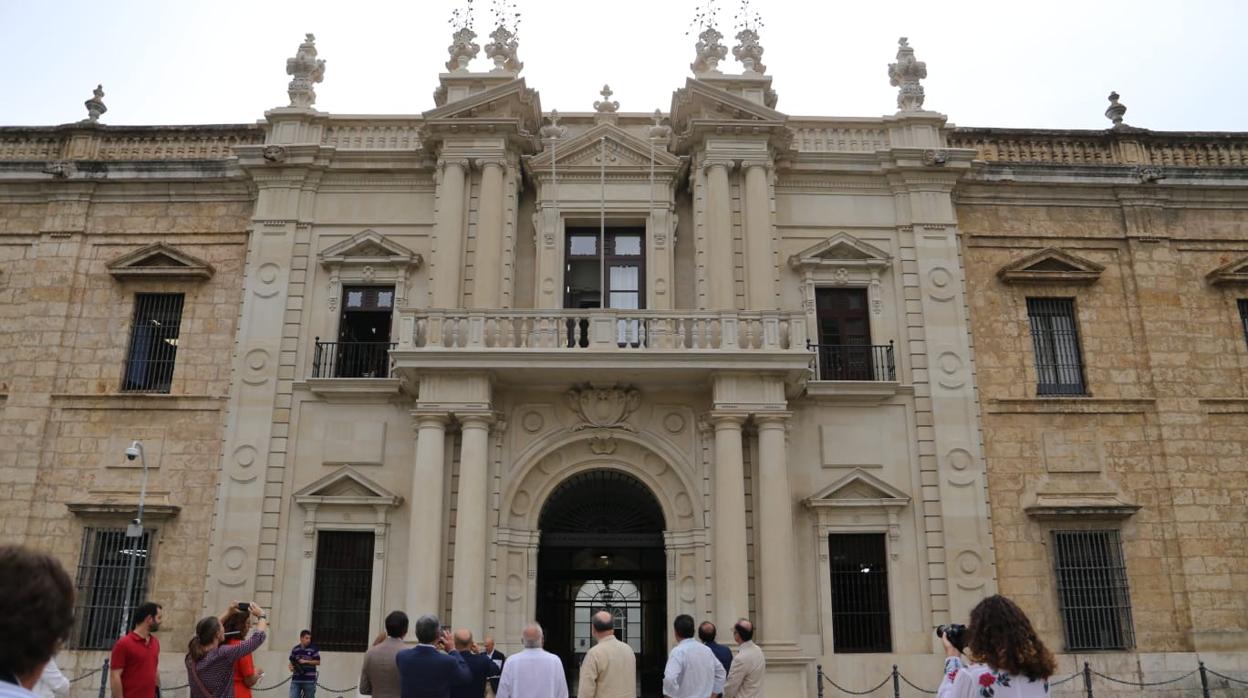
[(1179, 64)]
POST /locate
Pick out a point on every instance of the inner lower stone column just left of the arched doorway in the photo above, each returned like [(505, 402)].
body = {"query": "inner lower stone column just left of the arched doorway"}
[(469, 590)]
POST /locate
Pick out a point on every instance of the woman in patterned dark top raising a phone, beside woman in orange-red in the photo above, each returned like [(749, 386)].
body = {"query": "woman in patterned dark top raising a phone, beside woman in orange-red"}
[(210, 662)]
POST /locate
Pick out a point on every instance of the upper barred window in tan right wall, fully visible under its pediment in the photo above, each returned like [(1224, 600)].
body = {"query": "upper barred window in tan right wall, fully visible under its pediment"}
[(1056, 338)]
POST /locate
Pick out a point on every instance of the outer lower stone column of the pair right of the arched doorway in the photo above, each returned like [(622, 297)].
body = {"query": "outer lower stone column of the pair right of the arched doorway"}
[(776, 543)]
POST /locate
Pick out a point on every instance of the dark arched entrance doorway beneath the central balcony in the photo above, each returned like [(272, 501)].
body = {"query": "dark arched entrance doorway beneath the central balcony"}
[(602, 548)]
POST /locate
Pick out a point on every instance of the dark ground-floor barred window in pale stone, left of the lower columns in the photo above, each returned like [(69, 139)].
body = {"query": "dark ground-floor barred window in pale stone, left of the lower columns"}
[(343, 592)]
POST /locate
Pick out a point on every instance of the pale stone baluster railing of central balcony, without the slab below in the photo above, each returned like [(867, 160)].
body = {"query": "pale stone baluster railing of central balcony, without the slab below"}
[(603, 330)]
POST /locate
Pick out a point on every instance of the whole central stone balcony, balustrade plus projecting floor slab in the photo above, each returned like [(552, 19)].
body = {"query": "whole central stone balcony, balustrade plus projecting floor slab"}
[(550, 347)]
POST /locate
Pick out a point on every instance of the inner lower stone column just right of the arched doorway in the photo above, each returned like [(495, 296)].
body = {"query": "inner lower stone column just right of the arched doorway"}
[(732, 573)]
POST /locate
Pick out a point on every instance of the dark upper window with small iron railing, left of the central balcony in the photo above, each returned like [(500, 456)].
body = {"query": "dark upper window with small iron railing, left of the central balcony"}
[(363, 350)]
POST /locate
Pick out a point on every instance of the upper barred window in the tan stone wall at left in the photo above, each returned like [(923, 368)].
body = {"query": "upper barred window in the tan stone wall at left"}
[(153, 343)]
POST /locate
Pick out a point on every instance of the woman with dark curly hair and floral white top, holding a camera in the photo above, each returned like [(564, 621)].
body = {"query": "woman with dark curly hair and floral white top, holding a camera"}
[(1009, 660)]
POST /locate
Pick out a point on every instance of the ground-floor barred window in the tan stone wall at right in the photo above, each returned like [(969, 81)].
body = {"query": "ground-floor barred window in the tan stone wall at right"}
[(1093, 590)]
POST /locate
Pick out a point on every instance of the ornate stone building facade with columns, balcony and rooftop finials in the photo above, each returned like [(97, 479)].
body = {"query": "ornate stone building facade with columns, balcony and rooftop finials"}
[(500, 364)]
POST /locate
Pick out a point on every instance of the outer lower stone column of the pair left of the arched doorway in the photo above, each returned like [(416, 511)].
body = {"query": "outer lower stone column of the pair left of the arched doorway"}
[(425, 553)]
